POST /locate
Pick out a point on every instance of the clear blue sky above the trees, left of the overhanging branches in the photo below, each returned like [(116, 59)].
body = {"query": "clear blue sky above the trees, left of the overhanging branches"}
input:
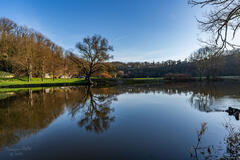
[(139, 30)]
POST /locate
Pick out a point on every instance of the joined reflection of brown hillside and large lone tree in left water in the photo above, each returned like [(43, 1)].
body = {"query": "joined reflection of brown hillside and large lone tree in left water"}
[(28, 112)]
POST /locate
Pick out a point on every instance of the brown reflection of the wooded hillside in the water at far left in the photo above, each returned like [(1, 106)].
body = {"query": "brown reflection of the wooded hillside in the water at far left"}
[(27, 113)]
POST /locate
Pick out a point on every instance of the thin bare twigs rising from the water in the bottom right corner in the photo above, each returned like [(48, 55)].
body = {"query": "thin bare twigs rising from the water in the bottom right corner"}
[(231, 142)]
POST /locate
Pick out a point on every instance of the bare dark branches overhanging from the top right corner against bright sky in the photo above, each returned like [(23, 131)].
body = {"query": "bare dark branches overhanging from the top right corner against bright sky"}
[(223, 21)]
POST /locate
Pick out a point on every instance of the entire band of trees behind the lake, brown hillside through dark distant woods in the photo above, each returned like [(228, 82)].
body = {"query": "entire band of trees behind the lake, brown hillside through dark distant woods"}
[(25, 52)]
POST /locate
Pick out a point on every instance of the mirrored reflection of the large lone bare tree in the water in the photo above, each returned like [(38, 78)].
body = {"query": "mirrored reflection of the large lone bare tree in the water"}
[(95, 111)]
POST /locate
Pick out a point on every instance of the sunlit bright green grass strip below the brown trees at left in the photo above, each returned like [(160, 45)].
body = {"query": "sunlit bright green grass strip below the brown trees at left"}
[(24, 81)]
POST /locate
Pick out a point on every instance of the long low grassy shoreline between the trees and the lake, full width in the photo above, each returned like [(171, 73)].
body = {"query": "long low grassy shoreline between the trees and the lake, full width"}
[(106, 82)]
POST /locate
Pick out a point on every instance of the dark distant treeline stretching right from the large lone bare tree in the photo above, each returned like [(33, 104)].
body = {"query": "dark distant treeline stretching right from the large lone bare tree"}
[(204, 62)]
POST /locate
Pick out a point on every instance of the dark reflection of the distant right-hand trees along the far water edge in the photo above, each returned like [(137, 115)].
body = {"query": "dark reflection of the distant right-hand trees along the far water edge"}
[(203, 96)]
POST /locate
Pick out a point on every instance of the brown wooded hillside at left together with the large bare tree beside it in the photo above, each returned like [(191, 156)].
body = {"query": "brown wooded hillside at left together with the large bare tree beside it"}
[(26, 52)]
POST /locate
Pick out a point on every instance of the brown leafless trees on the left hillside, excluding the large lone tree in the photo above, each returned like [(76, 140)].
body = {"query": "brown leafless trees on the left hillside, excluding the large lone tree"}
[(26, 52)]
